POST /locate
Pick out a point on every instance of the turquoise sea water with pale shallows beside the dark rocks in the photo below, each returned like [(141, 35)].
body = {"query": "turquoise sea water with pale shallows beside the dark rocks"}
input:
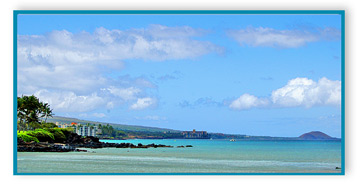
[(206, 156)]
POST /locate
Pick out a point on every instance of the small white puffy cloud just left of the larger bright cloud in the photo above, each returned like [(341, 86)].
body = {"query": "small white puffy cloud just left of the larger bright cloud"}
[(247, 101)]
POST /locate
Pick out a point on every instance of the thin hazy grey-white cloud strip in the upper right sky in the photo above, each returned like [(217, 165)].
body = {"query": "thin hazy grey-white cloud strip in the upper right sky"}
[(270, 37)]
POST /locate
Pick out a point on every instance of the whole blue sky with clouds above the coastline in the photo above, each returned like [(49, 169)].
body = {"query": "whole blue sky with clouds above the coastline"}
[(264, 75)]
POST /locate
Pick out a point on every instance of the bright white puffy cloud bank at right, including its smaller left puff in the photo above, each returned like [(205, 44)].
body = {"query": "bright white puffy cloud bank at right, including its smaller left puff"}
[(298, 92)]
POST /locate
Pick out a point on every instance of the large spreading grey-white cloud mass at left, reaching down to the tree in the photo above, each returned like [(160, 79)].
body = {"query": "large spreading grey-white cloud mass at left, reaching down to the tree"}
[(72, 68)]
